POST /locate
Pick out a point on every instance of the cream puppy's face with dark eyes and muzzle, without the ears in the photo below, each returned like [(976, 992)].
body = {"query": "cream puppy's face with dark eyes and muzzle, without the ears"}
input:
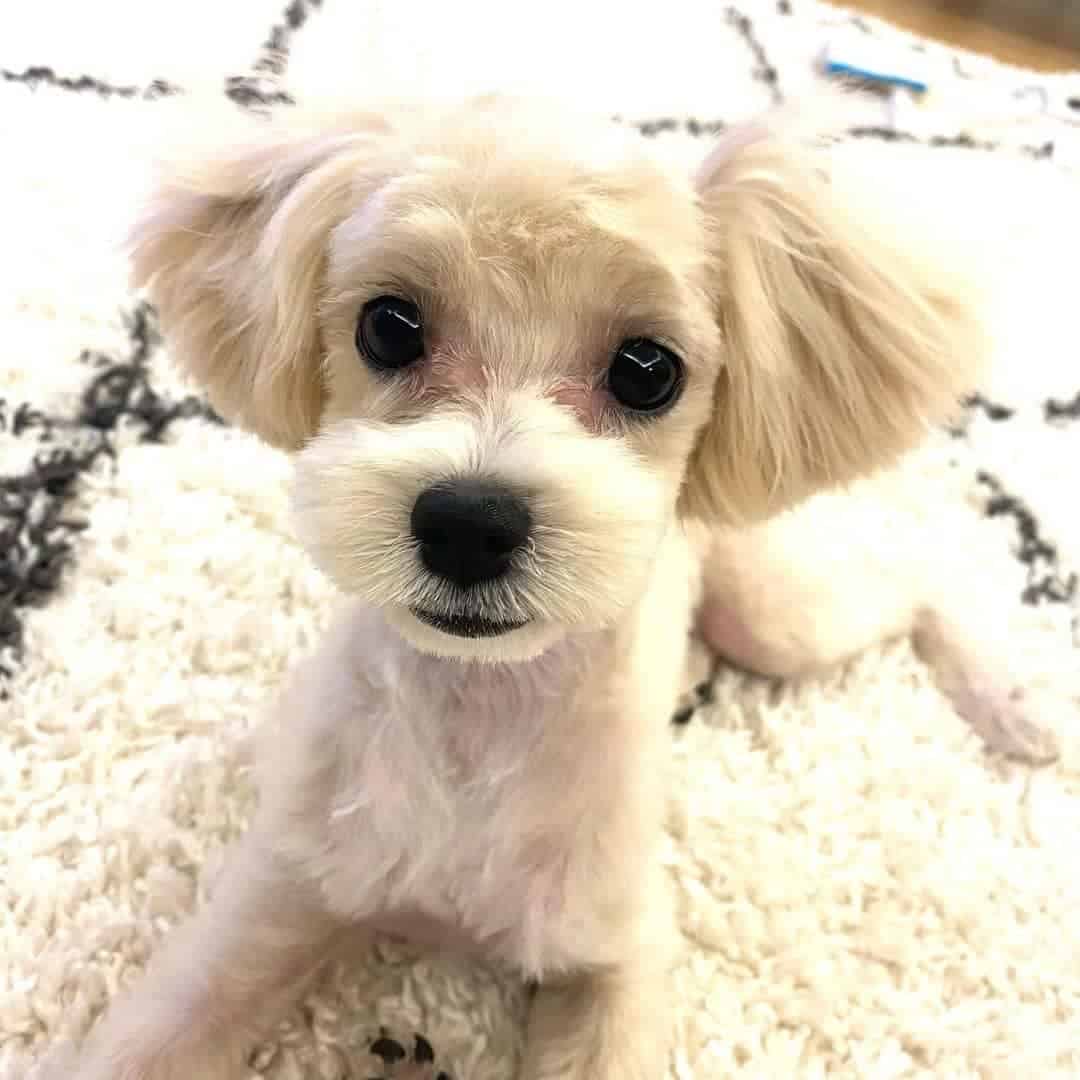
[(519, 354)]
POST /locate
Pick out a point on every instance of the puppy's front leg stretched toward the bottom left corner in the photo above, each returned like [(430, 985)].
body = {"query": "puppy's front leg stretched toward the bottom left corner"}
[(221, 981)]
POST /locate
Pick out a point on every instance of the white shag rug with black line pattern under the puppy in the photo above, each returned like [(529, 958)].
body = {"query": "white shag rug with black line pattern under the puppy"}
[(863, 892)]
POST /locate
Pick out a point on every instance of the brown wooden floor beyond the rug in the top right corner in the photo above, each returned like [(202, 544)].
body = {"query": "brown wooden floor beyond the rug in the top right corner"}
[(1044, 35)]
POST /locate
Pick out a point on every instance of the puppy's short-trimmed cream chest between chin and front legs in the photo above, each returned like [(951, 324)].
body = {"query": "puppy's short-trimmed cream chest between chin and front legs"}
[(460, 809)]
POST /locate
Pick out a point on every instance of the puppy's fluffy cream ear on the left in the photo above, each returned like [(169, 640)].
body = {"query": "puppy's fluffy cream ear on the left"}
[(232, 247)]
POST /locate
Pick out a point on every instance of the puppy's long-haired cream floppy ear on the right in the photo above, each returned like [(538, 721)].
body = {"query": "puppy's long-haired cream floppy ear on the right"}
[(844, 339)]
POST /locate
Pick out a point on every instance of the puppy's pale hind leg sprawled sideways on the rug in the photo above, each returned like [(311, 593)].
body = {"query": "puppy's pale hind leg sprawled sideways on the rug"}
[(792, 598)]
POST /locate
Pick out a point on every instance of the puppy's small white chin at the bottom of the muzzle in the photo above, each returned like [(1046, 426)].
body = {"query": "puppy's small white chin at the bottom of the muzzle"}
[(469, 638)]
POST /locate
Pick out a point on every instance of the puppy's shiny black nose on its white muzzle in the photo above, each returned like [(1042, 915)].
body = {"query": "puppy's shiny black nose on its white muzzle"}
[(468, 531)]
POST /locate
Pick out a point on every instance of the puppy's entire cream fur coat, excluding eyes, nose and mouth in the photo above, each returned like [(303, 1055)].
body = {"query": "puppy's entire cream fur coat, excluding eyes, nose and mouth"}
[(501, 794)]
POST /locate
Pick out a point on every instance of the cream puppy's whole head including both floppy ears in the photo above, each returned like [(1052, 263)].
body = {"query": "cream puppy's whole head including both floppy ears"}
[(509, 355)]
